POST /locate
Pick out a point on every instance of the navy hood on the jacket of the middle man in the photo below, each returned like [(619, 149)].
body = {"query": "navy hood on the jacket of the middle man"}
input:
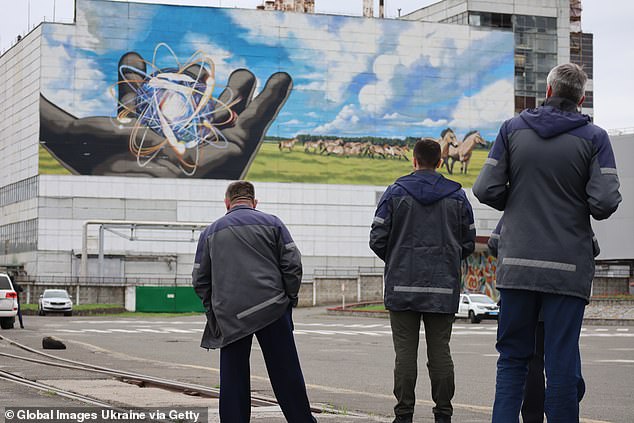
[(427, 187)]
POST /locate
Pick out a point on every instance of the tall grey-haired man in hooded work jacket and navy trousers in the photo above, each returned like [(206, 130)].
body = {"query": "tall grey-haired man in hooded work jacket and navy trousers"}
[(549, 170)]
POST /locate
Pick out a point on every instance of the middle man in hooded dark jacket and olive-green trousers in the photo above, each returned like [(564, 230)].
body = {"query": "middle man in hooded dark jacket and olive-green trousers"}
[(422, 228)]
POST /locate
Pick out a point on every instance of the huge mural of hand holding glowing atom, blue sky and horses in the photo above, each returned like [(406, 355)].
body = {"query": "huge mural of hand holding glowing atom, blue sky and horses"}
[(173, 91)]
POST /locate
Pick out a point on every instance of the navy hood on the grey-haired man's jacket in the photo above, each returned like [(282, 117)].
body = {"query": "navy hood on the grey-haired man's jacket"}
[(556, 116)]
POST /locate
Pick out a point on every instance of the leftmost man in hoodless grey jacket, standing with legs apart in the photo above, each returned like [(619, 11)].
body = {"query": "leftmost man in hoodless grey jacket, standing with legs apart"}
[(247, 272)]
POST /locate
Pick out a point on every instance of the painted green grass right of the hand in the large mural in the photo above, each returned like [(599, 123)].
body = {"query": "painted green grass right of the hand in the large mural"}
[(271, 165)]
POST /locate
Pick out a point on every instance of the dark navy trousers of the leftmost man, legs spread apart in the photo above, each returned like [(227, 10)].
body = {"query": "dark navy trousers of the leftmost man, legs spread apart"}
[(282, 363)]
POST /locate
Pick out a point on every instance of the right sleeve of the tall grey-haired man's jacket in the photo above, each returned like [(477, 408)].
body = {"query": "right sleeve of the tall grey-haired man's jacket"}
[(602, 188)]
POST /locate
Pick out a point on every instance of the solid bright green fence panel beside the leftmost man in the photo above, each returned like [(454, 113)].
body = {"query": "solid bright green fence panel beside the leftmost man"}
[(167, 299)]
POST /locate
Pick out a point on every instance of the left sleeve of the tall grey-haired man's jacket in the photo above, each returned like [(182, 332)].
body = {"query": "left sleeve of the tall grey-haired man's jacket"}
[(491, 187)]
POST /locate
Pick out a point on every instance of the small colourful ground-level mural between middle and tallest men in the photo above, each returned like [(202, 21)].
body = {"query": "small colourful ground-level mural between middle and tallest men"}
[(478, 274)]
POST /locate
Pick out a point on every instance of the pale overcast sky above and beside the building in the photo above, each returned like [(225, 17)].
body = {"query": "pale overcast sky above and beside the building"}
[(609, 20)]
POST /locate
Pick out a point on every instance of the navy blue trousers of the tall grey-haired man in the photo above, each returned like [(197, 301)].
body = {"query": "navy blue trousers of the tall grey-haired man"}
[(563, 316)]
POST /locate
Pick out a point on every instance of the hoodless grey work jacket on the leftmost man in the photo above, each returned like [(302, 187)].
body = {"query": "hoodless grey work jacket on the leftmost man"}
[(247, 272)]
